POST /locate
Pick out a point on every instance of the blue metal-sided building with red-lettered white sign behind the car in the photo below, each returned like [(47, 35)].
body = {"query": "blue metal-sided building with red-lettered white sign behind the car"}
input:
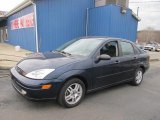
[(43, 25)]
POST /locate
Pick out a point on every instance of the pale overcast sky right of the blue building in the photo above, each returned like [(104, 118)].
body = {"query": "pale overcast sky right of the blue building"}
[(149, 12)]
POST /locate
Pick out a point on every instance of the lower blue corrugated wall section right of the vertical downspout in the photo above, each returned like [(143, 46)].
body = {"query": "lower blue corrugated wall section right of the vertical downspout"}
[(109, 21)]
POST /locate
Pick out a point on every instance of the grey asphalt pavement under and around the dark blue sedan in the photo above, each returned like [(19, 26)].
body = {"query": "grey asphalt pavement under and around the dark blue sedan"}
[(123, 102)]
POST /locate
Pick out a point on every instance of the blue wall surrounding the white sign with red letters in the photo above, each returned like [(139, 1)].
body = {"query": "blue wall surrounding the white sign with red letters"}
[(24, 37)]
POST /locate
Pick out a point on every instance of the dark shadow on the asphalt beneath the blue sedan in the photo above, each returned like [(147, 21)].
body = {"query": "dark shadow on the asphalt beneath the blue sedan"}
[(52, 104)]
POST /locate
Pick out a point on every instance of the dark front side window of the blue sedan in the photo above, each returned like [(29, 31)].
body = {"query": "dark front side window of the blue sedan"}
[(111, 49)]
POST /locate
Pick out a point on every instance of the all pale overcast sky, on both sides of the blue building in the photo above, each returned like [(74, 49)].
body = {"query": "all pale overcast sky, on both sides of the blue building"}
[(149, 11)]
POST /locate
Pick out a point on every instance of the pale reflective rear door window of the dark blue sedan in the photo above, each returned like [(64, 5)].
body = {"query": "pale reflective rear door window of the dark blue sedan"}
[(127, 48)]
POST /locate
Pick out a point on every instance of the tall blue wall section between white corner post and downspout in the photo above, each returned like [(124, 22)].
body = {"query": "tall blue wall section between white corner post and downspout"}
[(60, 21)]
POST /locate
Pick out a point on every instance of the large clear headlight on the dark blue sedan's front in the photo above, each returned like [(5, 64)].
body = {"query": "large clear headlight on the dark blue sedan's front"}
[(39, 74)]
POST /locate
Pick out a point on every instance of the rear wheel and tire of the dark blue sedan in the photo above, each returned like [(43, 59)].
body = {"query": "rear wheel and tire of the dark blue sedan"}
[(138, 78)]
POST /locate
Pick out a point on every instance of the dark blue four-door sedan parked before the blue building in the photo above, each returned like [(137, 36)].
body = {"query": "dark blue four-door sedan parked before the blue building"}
[(78, 67)]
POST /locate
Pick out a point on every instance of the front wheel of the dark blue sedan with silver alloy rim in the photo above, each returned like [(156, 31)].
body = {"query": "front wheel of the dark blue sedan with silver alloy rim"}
[(69, 96)]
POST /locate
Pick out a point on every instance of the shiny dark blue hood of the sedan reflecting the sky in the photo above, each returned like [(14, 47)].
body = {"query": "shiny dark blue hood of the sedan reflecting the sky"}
[(48, 60)]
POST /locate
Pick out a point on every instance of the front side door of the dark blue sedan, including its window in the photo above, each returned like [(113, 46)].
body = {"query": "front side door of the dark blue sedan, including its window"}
[(107, 72)]
